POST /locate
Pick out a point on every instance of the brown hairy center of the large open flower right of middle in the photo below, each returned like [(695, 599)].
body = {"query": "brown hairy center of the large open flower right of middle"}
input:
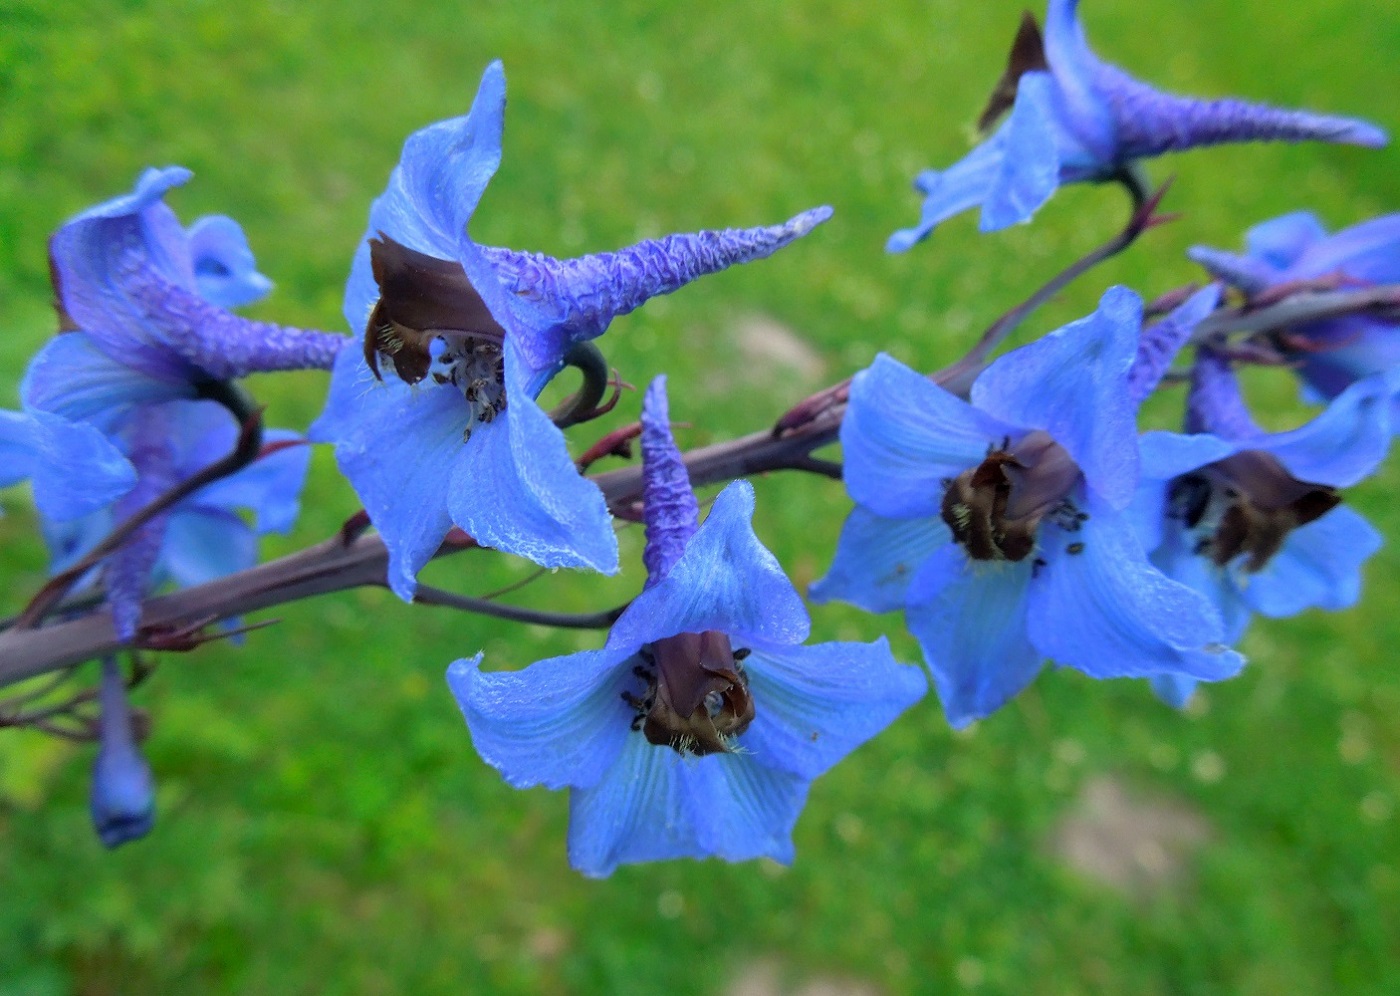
[(996, 508)]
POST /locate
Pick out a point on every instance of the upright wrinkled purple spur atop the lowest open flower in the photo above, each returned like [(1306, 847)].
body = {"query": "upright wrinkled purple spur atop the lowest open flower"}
[(670, 506)]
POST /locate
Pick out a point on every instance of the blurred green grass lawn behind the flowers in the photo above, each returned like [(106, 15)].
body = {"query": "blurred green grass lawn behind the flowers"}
[(324, 822)]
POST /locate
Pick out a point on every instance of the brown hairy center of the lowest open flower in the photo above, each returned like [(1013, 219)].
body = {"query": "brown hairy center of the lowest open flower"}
[(696, 698)]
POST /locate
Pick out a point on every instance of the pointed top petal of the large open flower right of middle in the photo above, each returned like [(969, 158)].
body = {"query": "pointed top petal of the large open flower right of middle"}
[(1073, 383)]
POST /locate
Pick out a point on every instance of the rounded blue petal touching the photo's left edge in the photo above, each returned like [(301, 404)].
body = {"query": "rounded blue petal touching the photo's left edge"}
[(76, 470)]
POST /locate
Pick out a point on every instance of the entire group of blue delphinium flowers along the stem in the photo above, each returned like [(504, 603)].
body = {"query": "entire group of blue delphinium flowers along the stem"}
[(1020, 520)]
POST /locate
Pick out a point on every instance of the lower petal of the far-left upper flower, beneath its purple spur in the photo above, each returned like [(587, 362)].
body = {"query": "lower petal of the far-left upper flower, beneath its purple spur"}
[(73, 379)]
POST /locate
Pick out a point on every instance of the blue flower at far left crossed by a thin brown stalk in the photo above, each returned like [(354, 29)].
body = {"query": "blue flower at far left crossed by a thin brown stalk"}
[(202, 537)]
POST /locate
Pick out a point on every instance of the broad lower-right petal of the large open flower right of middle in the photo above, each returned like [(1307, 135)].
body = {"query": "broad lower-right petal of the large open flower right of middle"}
[(1098, 606)]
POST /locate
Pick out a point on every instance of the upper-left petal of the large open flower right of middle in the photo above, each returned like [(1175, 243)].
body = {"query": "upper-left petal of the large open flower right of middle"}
[(904, 436)]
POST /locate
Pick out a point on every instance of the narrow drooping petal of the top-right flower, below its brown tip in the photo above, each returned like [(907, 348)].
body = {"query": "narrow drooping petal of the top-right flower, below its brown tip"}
[(1031, 165)]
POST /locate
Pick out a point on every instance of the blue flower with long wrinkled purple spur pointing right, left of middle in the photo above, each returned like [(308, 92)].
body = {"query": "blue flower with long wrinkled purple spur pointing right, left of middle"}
[(436, 424)]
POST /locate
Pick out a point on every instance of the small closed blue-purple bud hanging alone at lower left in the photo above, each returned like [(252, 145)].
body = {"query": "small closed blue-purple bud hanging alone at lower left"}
[(124, 792)]
